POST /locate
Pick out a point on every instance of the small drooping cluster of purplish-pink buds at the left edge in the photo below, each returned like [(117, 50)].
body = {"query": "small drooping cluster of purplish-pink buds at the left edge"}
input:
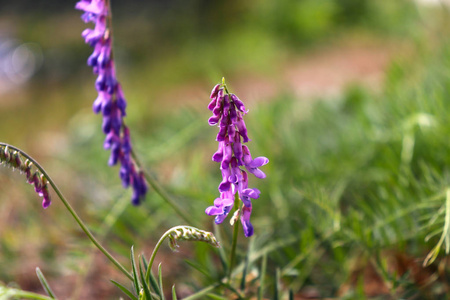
[(12, 159)]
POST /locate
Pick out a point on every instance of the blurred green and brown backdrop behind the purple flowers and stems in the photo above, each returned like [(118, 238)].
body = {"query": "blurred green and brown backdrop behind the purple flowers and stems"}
[(347, 98)]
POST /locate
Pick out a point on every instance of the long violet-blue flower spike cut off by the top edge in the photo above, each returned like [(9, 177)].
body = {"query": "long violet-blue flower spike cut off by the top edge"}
[(110, 101)]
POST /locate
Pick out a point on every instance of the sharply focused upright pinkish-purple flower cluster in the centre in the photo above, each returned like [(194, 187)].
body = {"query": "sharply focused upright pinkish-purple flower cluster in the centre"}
[(228, 111)]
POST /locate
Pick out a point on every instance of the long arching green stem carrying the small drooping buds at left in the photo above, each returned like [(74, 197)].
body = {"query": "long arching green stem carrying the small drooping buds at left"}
[(72, 212)]
